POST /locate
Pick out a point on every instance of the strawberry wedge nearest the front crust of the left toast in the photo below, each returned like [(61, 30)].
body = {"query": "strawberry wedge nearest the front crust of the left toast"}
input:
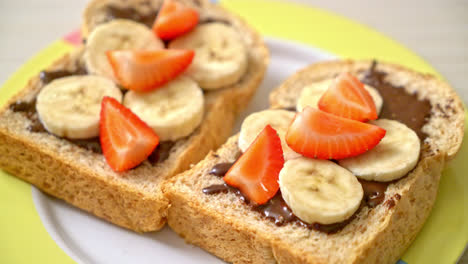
[(126, 141)]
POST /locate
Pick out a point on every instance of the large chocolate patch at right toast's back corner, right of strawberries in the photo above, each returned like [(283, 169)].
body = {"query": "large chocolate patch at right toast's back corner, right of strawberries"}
[(398, 104)]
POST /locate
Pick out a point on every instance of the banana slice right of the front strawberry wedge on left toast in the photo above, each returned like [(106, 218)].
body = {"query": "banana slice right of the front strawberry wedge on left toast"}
[(173, 111)]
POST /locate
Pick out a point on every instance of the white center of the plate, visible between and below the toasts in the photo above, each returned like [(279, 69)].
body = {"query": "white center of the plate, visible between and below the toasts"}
[(88, 239)]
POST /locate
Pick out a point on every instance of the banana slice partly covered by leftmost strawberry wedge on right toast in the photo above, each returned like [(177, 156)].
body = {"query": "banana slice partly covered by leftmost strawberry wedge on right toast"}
[(256, 122)]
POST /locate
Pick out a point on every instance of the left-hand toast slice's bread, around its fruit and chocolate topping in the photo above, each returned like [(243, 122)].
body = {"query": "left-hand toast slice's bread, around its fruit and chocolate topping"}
[(133, 199)]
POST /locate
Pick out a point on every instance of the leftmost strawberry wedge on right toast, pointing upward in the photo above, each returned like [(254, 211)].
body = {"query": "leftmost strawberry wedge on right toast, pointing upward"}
[(256, 172)]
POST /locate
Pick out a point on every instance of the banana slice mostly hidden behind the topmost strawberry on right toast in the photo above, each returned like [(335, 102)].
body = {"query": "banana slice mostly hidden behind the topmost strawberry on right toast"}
[(312, 93)]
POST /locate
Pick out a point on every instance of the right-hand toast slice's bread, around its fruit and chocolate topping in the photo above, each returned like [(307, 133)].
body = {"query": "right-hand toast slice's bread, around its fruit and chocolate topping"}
[(227, 227)]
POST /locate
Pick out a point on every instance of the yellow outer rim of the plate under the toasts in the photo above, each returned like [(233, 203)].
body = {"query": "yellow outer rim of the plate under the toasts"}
[(23, 238)]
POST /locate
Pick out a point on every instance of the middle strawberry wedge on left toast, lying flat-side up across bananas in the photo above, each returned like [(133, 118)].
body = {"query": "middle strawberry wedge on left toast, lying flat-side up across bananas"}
[(144, 71)]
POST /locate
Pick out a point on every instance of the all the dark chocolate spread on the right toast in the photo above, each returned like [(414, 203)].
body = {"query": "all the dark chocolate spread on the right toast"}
[(398, 105)]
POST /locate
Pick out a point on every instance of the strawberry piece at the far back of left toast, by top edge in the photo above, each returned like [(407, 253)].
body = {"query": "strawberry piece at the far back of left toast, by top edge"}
[(175, 19)]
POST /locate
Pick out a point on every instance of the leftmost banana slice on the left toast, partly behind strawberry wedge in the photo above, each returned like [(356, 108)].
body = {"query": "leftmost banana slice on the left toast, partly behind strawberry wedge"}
[(70, 106)]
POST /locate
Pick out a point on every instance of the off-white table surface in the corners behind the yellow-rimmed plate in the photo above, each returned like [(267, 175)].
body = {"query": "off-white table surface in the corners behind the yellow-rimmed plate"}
[(436, 30)]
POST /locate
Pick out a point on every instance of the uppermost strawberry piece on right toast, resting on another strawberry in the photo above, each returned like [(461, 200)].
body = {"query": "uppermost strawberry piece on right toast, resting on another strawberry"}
[(348, 98)]
